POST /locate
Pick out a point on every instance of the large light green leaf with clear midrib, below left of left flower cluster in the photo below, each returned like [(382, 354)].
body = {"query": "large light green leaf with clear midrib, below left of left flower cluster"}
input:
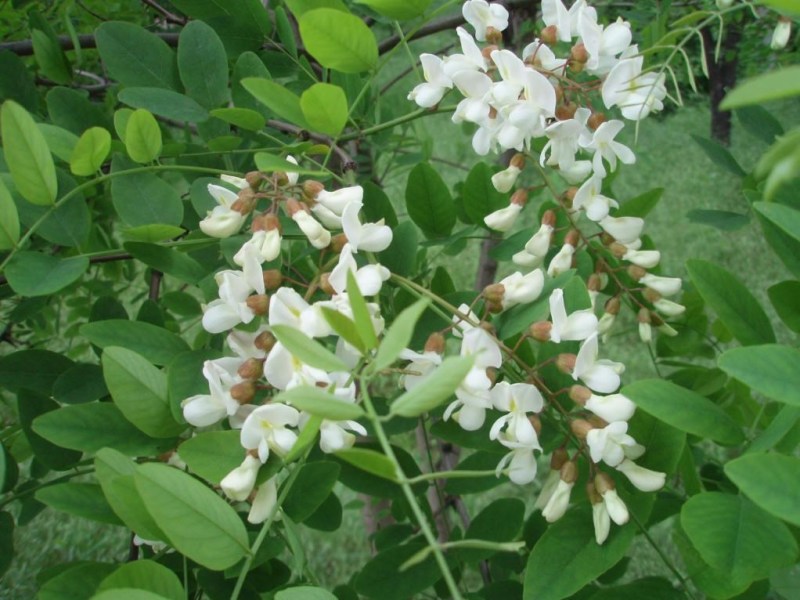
[(197, 522)]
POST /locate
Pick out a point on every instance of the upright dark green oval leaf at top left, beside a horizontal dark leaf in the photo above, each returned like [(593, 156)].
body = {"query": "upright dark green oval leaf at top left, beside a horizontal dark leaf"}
[(203, 64)]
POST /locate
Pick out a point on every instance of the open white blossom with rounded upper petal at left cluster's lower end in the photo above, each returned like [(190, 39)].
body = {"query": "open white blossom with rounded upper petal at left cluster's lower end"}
[(265, 429)]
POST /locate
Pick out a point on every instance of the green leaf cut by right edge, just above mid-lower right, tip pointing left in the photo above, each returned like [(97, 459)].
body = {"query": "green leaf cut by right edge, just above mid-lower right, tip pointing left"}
[(770, 370)]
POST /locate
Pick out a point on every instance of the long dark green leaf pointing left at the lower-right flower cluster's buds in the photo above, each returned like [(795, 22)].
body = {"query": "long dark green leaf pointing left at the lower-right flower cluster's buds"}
[(684, 409)]
